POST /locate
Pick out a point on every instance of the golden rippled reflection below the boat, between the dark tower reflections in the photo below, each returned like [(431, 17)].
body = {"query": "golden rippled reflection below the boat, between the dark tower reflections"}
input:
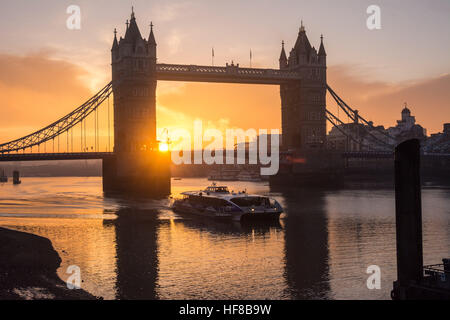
[(214, 261)]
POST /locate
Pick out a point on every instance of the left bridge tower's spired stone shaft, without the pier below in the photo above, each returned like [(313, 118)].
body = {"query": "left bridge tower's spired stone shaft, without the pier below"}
[(134, 85)]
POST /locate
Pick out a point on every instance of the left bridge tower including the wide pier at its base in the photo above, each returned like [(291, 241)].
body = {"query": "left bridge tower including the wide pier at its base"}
[(137, 165)]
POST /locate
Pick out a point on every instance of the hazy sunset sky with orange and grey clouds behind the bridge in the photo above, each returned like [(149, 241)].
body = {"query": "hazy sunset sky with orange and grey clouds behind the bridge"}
[(47, 70)]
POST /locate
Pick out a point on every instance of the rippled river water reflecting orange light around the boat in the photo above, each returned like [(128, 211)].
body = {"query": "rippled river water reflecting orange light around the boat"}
[(132, 248)]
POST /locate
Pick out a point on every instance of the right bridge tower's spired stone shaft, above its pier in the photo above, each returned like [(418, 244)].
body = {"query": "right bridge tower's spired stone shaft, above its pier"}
[(303, 102)]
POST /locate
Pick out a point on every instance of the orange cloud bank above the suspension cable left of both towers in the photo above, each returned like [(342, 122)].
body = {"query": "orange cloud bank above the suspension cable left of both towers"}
[(36, 90)]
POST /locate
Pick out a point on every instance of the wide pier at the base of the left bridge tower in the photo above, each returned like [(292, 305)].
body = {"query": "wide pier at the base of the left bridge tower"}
[(145, 173)]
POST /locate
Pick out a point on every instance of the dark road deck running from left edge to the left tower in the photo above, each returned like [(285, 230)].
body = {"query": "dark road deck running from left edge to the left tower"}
[(54, 156)]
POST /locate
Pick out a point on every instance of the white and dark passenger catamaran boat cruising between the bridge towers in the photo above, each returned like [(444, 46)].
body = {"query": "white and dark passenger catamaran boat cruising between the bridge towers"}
[(218, 202)]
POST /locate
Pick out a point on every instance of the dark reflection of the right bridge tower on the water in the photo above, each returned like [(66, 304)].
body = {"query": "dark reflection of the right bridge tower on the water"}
[(306, 244)]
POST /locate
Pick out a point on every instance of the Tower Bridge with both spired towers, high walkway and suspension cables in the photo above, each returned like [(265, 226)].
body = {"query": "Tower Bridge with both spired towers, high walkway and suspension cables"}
[(134, 164)]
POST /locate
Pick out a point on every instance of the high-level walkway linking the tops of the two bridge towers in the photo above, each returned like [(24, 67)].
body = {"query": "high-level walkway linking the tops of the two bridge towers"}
[(227, 74)]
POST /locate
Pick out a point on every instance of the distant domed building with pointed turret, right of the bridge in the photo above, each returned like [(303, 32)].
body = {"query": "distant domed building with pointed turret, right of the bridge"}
[(407, 128)]
